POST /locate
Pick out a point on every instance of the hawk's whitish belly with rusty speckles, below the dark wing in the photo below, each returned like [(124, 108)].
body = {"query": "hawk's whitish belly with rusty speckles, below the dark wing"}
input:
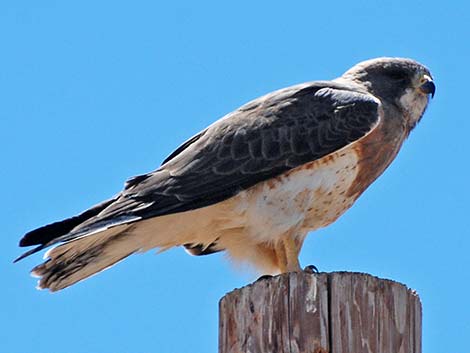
[(305, 198)]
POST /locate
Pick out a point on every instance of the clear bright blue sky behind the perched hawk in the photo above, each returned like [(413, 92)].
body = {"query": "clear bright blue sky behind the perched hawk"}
[(94, 92)]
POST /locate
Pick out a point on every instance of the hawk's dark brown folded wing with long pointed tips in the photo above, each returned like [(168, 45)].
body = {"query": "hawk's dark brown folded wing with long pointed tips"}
[(259, 141)]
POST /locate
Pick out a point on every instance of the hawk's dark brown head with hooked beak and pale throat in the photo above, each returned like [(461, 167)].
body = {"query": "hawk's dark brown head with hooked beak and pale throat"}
[(404, 83)]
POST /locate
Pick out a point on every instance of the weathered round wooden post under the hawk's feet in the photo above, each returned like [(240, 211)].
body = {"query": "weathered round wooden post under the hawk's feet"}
[(336, 312)]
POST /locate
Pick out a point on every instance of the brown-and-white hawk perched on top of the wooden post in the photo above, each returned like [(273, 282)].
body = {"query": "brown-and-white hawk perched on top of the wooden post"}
[(253, 183)]
